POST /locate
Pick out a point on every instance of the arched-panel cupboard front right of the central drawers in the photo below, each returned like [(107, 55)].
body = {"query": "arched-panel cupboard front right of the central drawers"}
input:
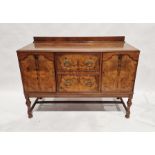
[(118, 72)]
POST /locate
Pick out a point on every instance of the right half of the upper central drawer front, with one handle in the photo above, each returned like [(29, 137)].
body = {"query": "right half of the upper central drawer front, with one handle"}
[(89, 62)]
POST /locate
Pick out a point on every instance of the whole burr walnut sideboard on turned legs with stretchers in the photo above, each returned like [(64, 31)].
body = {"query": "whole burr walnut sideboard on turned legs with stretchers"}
[(78, 67)]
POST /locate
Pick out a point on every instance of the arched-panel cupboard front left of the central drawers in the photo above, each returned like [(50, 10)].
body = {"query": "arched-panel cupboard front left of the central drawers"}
[(37, 72)]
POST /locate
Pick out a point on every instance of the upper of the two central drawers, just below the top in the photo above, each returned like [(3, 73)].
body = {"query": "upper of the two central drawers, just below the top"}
[(78, 62)]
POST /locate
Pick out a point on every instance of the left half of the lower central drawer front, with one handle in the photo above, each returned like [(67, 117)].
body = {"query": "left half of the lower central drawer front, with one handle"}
[(68, 83)]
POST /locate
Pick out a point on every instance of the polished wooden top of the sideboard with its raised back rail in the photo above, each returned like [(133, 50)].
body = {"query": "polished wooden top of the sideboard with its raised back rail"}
[(78, 44)]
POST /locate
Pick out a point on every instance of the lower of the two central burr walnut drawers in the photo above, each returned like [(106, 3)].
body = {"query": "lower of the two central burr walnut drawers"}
[(78, 83)]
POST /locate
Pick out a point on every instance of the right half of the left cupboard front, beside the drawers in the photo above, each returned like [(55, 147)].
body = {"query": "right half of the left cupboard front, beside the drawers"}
[(46, 73)]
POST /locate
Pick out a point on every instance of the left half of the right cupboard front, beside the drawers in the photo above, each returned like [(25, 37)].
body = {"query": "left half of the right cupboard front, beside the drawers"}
[(109, 72)]
